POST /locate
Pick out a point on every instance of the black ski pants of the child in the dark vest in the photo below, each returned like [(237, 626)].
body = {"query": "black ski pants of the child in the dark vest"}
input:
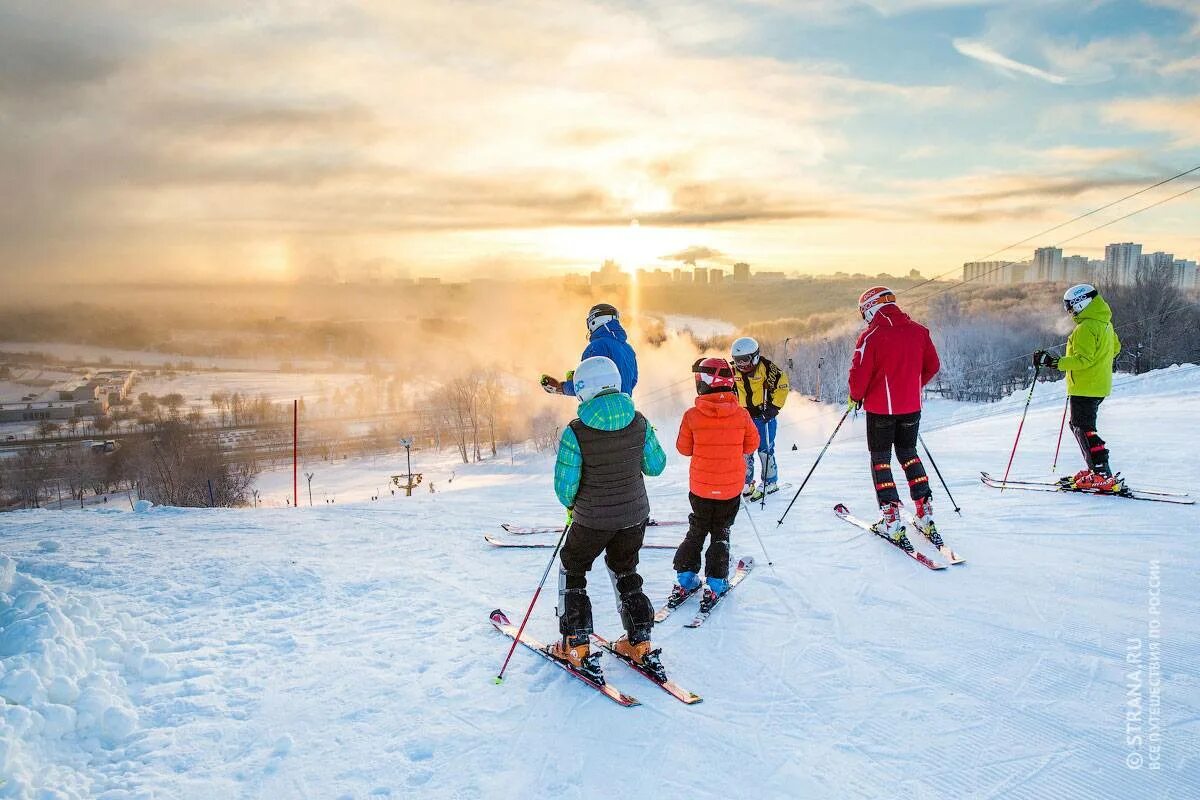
[(621, 550)]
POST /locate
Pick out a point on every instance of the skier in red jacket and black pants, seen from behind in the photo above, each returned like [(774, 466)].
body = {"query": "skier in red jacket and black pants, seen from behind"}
[(893, 360)]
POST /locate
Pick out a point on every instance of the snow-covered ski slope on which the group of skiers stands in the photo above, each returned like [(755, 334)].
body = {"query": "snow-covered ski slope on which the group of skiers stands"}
[(345, 652)]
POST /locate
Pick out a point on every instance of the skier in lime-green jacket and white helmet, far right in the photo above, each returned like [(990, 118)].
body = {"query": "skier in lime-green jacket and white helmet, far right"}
[(1091, 351)]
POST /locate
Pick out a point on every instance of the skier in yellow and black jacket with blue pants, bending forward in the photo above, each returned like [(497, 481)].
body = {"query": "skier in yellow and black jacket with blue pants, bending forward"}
[(763, 390)]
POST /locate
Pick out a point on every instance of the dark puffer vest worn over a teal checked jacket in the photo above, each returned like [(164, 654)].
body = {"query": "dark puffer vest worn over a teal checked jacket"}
[(613, 491)]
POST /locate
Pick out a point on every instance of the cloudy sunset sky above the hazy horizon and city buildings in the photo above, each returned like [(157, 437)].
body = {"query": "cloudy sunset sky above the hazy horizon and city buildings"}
[(279, 141)]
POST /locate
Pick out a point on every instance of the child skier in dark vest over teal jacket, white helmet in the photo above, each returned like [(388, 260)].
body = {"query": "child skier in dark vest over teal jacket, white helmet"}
[(603, 456)]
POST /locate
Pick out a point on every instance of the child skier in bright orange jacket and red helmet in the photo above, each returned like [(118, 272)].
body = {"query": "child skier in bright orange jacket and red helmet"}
[(717, 434)]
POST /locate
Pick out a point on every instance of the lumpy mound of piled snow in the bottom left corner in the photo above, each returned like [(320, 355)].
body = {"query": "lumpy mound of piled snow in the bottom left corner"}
[(65, 700)]
